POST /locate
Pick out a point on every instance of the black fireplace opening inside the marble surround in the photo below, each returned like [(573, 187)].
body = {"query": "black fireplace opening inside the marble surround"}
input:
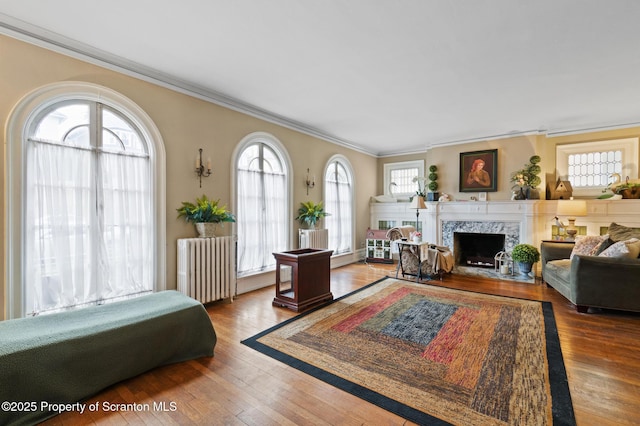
[(477, 249)]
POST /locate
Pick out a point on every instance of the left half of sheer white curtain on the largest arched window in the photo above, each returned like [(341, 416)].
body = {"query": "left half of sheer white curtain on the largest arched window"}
[(58, 261)]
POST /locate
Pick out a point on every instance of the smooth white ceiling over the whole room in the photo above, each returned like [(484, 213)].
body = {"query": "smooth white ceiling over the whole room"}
[(385, 76)]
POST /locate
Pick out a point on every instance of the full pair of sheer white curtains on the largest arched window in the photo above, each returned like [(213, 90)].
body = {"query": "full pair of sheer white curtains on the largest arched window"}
[(87, 237)]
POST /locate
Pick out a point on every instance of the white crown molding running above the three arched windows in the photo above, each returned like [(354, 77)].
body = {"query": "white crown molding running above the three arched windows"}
[(38, 36)]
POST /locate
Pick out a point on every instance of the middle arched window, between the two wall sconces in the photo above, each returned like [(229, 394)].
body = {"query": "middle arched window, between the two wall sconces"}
[(262, 200)]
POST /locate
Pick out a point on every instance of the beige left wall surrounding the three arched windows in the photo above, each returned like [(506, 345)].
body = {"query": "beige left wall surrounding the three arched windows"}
[(186, 124)]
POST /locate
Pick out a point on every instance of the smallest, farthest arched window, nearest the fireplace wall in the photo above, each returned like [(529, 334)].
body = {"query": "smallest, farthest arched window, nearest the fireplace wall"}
[(339, 204)]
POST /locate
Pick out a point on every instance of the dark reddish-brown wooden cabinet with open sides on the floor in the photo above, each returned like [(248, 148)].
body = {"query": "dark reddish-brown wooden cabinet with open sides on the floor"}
[(303, 278)]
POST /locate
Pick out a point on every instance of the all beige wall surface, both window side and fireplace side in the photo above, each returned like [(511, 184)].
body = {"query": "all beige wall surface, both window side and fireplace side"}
[(187, 123)]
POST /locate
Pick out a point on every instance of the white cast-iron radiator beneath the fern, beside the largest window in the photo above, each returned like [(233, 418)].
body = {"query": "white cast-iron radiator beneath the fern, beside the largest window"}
[(207, 268)]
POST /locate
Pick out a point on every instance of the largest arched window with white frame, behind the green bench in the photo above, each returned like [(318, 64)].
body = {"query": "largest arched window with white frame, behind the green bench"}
[(90, 232)]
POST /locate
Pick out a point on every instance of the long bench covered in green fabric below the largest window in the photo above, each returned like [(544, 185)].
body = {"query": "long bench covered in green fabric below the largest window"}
[(69, 356)]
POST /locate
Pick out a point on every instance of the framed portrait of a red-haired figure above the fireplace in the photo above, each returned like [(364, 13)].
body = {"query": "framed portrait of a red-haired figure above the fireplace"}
[(479, 171)]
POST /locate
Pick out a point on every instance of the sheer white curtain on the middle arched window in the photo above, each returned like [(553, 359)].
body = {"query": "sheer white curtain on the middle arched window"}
[(261, 217)]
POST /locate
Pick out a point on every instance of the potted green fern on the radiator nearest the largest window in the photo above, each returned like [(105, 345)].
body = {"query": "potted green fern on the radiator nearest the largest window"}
[(205, 214)]
